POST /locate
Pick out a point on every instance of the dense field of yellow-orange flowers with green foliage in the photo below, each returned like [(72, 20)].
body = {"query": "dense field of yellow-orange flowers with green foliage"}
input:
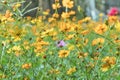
[(58, 47)]
